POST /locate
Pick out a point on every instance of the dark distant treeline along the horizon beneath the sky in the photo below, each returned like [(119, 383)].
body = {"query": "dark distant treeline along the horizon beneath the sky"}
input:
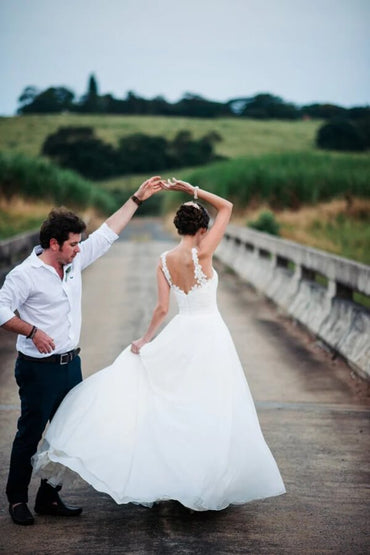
[(260, 106)]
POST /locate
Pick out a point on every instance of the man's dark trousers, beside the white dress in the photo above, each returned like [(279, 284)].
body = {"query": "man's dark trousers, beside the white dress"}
[(42, 387)]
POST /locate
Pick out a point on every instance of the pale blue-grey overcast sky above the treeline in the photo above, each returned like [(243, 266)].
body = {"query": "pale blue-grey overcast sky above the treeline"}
[(302, 50)]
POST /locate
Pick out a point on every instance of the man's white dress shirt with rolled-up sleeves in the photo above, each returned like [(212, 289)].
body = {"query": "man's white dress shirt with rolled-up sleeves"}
[(43, 299)]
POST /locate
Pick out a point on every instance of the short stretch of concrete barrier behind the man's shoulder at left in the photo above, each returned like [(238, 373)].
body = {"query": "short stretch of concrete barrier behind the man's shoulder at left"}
[(15, 249)]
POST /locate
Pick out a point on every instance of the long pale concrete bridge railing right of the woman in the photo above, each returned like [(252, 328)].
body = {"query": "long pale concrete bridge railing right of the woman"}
[(287, 273)]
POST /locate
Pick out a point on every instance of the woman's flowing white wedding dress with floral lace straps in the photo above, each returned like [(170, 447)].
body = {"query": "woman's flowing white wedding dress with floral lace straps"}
[(175, 422)]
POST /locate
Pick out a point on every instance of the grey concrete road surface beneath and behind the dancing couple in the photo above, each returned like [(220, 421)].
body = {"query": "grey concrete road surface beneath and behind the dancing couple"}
[(314, 412)]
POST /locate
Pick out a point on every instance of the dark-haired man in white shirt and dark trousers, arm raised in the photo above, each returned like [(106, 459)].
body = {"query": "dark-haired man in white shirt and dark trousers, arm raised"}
[(45, 289)]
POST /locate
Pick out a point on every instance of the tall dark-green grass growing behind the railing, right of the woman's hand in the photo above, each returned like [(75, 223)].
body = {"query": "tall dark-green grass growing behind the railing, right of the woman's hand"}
[(283, 180)]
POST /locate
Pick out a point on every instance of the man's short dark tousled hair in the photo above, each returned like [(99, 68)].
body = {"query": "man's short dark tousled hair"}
[(58, 225)]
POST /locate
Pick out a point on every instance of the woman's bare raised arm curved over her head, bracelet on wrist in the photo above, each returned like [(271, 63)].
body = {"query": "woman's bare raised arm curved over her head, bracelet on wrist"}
[(224, 208)]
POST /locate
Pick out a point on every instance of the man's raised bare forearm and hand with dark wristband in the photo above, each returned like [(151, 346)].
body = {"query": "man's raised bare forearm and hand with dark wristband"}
[(118, 221)]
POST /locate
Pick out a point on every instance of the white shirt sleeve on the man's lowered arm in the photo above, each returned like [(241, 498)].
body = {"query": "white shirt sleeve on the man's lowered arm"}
[(12, 294)]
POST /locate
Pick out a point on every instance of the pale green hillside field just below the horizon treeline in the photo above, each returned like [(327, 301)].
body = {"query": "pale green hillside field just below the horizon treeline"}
[(245, 137)]
